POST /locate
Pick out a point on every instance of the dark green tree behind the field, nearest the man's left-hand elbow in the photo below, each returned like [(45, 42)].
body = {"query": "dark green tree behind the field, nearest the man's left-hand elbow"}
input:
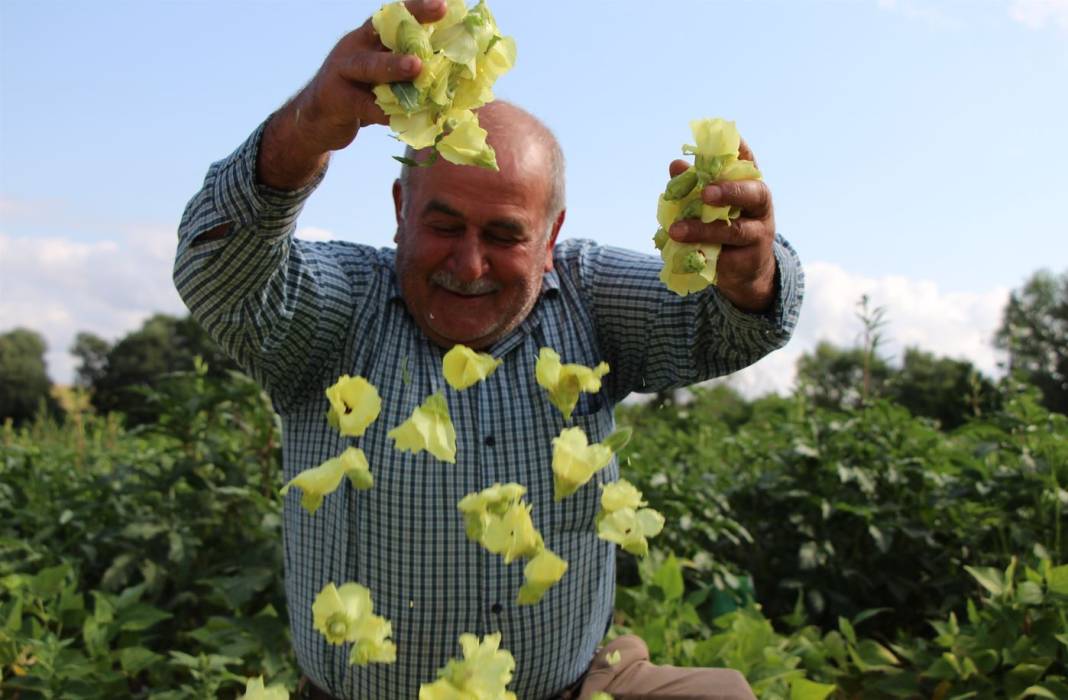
[(164, 345)]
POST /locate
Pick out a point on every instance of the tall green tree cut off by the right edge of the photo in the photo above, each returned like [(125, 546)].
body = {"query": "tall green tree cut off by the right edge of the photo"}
[(1034, 331)]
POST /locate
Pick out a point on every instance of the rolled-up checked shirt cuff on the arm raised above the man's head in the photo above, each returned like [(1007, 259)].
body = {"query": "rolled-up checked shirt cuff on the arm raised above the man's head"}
[(241, 199)]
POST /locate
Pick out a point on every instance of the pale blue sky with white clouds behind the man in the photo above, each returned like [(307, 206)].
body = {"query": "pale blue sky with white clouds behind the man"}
[(916, 149)]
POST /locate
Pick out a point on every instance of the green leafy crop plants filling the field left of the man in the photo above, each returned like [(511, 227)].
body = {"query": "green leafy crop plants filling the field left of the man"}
[(146, 564)]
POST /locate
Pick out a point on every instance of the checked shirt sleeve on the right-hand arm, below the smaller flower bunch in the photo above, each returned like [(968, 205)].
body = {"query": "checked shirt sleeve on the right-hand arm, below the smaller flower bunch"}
[(655, 340)]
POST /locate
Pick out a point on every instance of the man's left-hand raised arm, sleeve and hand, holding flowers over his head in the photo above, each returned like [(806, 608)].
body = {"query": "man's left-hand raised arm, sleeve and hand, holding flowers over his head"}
[(282, 308)]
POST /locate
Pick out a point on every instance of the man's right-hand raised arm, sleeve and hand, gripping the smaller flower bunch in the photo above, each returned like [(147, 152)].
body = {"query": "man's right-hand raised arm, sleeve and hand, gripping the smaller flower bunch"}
[(655, 339)]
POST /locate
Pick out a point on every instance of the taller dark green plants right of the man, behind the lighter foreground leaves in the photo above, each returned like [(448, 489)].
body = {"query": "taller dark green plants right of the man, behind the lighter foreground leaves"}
[(853, 511)]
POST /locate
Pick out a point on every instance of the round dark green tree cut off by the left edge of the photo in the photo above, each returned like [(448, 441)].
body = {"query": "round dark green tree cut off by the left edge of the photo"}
[(24, 379)]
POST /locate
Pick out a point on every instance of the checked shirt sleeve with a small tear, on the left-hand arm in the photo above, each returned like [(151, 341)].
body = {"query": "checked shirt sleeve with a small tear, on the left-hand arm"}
[(278, 306)]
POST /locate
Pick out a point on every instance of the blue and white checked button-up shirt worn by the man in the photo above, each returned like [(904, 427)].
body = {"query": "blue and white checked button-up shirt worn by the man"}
[(297, 315)]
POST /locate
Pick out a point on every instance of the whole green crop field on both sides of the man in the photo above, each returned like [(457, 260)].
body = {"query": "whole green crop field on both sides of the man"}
[(858, 554)]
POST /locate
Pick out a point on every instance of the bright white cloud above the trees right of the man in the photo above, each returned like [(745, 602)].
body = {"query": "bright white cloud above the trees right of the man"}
[(918, 314)]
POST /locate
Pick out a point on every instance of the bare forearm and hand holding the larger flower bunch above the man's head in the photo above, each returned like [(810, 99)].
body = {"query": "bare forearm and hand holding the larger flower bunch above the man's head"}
[(328, 113)]
